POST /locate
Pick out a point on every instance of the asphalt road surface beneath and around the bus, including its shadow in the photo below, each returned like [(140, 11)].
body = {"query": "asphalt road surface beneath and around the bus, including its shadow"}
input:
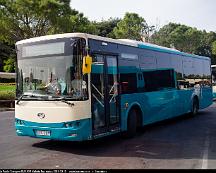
[(186, 143)]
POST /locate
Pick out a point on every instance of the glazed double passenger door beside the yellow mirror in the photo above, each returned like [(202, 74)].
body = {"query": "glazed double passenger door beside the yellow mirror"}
[(104, 92)]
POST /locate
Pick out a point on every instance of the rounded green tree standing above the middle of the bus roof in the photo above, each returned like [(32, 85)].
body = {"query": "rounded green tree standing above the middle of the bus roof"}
[(132, 26)]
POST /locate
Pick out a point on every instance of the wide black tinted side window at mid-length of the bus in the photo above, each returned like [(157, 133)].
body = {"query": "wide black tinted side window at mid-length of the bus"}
[(158, 80)]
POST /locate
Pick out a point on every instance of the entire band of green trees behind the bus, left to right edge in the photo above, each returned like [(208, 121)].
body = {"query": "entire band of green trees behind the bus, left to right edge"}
[(22, 19)]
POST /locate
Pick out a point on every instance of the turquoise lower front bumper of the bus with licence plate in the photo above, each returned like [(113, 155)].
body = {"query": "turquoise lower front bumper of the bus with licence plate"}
[(56, 131)]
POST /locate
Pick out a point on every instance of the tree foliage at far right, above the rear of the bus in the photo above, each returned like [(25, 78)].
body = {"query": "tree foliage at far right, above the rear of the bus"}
[(186, 39)]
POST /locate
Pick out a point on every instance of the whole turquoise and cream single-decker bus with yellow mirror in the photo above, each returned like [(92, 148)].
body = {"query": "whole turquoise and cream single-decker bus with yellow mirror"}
[(77, 86)]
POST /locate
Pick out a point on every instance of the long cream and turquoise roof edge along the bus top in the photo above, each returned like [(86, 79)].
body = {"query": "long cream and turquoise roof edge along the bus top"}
[(127, 42)]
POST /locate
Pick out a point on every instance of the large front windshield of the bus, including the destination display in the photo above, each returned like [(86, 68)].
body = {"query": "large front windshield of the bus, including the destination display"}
[(52, 70)]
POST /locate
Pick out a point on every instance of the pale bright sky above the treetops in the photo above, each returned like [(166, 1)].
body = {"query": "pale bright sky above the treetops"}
[(195, 13)]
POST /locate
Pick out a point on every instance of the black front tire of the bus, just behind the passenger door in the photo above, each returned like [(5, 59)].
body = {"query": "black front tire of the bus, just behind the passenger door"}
[(131, 124)]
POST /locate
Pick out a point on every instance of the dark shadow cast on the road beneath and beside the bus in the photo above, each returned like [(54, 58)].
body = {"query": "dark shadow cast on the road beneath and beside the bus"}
[(181, 137)]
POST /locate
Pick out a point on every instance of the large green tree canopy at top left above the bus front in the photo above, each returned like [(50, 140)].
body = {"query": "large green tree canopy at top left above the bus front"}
[(21, 19)]
